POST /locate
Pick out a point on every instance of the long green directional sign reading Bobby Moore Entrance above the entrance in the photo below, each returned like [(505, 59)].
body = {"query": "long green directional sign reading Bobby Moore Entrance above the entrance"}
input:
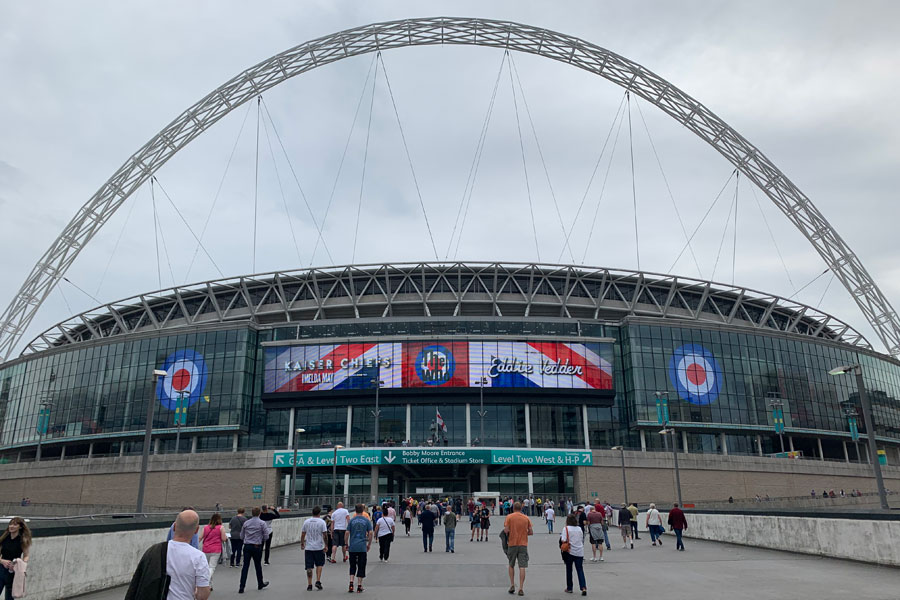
[(435, 456)]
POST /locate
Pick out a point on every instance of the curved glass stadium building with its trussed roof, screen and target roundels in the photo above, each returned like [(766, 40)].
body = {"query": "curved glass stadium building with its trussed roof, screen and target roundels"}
[(563, 359)]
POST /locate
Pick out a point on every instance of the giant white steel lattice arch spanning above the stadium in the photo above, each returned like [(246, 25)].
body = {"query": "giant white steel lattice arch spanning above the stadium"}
[(460, 31)]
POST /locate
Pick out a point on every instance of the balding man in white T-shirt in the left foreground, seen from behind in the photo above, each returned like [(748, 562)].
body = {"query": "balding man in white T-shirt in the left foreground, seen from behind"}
[(188, 568)]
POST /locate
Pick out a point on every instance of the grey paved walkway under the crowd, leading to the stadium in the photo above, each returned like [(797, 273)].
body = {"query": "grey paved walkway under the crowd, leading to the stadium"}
[(478, 570)]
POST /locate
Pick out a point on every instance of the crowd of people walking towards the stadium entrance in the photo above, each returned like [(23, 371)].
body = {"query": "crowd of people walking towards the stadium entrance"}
[(191, 553)]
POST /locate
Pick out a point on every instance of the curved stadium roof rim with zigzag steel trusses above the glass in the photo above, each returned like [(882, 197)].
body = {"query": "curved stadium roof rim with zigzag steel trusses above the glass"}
[(450, 289)]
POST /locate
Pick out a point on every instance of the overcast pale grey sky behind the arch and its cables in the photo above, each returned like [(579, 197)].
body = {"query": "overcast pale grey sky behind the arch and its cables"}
[(814, 85)]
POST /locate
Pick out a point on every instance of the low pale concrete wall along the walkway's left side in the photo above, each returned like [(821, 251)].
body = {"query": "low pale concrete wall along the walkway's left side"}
[(67, 566)]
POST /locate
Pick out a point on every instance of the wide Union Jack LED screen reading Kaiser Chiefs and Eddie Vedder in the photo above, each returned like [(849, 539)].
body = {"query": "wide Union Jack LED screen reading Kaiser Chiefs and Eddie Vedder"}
[(439, 364)]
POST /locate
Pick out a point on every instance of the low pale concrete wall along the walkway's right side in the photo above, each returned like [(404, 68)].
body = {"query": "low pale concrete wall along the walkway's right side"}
[(871, 541)]
